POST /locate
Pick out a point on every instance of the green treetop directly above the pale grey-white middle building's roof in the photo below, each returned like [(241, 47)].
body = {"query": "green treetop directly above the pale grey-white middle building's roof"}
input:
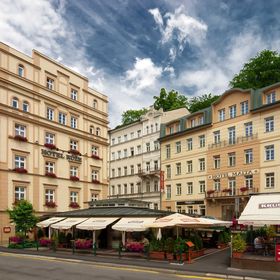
[(170, 101)]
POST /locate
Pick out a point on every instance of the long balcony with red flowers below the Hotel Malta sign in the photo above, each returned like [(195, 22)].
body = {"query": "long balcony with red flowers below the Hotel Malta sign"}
[(227, 193)]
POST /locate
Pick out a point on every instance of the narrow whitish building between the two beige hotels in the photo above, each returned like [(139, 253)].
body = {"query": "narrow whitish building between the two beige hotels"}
[(135, 157)]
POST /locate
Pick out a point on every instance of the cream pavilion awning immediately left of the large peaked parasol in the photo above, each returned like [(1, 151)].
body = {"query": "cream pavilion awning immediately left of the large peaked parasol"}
[(133, 224)]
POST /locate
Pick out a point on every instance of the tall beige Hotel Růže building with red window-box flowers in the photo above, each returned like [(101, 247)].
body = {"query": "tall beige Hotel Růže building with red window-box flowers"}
[(53, 144)]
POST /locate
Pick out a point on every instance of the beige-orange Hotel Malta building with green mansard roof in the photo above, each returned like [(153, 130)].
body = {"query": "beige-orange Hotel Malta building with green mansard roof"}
[(241, 152)]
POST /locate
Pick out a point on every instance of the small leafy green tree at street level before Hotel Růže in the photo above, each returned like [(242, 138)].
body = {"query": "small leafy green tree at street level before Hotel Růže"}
[(23, 216)]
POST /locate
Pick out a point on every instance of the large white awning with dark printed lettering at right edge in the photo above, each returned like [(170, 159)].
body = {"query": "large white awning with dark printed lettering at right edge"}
[(261, 210)]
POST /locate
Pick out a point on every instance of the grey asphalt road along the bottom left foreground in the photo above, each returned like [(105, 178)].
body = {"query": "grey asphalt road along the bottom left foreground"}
[(14, 267)]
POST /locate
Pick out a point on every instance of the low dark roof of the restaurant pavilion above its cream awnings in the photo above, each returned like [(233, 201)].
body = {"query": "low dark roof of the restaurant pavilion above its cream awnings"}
[(114, 212)]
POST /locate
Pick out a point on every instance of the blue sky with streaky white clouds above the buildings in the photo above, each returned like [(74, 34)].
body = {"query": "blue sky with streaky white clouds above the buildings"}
[(130, 49)]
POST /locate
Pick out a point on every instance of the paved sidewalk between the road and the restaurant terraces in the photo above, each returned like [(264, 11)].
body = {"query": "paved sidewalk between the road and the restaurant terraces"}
[(215, 264)]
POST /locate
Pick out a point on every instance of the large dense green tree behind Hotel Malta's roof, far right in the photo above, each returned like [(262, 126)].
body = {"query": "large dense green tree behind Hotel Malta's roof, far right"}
[(261, 70)]
